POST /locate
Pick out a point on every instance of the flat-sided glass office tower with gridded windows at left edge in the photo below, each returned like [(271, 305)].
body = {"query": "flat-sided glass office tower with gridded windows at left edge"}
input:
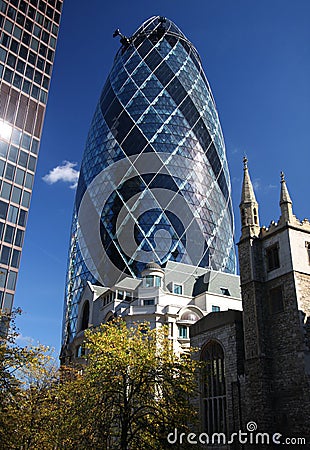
[(28, 37)]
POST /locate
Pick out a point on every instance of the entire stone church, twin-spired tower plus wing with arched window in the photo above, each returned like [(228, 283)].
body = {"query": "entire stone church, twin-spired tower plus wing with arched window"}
[(262, 370)]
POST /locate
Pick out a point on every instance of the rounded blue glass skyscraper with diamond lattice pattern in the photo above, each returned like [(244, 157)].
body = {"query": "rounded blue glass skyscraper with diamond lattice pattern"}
[(154, 183)]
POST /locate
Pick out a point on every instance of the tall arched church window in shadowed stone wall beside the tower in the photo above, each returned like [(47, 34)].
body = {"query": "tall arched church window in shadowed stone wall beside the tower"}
[(214, 389)]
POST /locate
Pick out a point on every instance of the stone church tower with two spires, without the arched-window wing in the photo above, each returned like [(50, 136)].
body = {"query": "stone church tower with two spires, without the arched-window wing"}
[(275, 285)]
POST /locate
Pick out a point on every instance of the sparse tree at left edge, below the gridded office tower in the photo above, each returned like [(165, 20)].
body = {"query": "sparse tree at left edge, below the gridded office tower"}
[(26, 376)]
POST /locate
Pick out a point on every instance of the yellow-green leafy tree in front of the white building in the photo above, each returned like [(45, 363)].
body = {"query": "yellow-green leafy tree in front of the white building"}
[(138, 389)]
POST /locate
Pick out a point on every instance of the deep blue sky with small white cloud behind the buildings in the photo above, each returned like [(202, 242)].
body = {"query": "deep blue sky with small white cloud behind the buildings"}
[(256, 55)]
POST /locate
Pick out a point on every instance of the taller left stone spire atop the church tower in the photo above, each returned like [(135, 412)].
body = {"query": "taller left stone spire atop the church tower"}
[(248, 205)]
